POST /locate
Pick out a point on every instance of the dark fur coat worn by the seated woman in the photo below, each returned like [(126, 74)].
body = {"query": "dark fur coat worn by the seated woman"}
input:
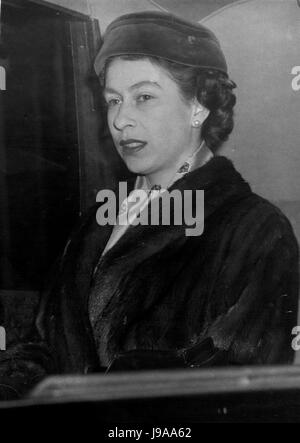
[(160, 298)]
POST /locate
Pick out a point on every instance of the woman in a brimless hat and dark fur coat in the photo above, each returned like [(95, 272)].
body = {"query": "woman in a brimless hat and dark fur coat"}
[(139, 295)]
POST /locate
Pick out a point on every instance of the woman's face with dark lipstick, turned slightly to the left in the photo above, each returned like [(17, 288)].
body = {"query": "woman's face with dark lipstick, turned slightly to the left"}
[(149, 121)]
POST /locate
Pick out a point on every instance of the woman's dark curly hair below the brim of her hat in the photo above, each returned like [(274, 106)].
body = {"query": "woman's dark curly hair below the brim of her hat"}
[(212, 88)]
